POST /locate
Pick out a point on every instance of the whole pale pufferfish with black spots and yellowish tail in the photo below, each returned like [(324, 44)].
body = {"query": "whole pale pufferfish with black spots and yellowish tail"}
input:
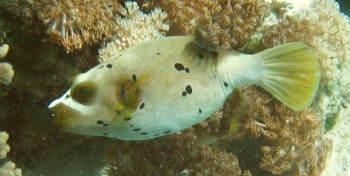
[(163, 86)]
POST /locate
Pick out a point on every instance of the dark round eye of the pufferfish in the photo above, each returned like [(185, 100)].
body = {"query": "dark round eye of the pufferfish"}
[(83, 92)]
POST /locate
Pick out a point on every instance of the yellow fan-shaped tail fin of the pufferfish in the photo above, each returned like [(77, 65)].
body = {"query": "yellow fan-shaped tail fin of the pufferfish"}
[(292, 74)]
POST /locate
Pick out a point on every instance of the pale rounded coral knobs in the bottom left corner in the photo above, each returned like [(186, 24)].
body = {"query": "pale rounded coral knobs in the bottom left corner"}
[(8, 168)]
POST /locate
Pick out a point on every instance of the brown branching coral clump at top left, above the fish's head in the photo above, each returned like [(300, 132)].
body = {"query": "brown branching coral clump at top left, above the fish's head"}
[(76, 23)]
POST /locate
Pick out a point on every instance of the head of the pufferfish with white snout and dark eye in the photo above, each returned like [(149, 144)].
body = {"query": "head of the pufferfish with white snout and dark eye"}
[(86, 108)]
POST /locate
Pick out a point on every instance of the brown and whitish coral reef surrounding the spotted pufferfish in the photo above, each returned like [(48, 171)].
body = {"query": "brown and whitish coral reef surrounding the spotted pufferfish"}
[(290, 143)]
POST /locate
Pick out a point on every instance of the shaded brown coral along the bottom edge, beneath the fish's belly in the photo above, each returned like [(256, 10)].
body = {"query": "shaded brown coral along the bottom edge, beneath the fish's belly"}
[(171, 155)]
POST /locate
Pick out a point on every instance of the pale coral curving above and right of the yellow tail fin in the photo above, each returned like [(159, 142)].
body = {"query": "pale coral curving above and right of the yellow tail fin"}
[(323, 27)]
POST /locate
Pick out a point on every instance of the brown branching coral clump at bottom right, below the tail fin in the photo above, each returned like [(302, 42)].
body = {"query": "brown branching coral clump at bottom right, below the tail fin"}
[(300, 147)]
